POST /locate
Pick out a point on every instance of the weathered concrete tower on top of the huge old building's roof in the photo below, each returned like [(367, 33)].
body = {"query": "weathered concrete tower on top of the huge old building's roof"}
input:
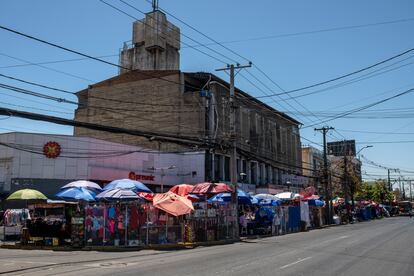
[(155, 45)]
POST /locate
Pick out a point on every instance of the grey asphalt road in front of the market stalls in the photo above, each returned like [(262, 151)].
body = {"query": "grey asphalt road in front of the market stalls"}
[(383, 247)]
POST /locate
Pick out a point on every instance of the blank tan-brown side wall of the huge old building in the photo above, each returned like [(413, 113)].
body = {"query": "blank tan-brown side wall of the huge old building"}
[(148, 104)]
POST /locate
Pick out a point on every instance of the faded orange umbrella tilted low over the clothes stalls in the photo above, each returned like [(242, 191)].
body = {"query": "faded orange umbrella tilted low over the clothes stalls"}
[(173, 204)]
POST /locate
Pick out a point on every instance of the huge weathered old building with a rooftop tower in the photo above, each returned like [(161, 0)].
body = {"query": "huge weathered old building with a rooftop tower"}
[(191, 105)]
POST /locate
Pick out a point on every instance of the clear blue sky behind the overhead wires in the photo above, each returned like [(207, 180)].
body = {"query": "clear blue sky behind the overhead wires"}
[(296, 43)]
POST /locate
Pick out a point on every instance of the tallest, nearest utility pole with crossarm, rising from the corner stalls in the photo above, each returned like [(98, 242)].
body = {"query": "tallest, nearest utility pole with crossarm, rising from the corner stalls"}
[(233, 156)]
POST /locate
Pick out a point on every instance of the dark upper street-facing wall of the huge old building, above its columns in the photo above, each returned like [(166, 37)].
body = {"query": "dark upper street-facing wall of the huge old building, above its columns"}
[(260, 131)]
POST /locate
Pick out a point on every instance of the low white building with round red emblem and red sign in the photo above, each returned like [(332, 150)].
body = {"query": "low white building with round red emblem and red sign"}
[(47, 162)]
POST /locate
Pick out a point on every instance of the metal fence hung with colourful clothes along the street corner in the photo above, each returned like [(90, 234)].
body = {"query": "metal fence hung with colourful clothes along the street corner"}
[(134, 224)]
